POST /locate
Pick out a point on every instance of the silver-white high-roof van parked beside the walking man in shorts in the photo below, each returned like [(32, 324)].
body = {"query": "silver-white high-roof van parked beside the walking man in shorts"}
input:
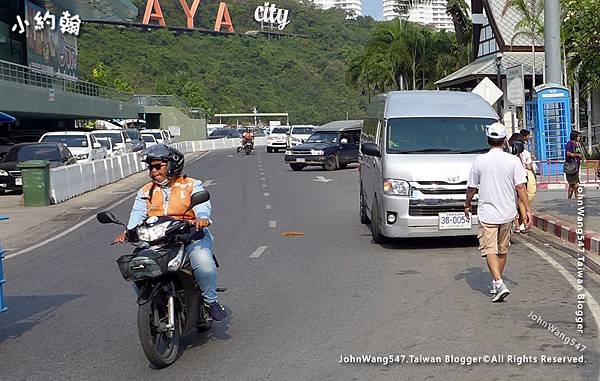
[(417, 148)]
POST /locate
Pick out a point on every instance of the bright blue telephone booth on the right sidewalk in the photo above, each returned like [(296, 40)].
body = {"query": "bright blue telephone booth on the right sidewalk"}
[(548, 115)]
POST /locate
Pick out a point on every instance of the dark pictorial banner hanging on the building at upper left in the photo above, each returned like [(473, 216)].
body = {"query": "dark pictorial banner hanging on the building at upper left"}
[(49, 50)]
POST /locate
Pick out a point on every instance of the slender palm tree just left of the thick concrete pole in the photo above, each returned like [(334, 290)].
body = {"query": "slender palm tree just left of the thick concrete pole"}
[(531, 24)]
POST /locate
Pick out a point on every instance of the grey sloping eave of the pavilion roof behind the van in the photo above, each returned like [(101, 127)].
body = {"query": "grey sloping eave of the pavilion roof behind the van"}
[(486, 67)]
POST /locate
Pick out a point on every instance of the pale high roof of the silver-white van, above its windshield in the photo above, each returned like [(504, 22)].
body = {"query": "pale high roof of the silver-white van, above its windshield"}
[(437, 104)]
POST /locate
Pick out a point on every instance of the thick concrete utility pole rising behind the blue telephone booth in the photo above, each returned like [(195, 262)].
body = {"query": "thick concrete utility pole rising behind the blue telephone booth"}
[(552, 41)]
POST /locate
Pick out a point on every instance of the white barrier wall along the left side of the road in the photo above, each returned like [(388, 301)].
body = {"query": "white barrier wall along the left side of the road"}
[(72, 180)]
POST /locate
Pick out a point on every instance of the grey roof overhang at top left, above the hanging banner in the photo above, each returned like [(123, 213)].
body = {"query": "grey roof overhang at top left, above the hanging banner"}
[(94, 10)]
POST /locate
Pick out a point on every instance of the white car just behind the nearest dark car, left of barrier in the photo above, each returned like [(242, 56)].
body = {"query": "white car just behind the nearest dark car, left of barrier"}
[(82, 144)]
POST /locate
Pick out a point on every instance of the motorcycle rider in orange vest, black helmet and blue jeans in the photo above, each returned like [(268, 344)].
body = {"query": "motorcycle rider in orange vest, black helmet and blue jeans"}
[(169, 193)]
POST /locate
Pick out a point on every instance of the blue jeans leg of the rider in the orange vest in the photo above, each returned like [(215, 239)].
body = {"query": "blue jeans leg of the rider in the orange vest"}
[(205, 270)]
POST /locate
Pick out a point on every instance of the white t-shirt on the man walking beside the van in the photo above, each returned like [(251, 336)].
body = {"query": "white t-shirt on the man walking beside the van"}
[(496, 174)]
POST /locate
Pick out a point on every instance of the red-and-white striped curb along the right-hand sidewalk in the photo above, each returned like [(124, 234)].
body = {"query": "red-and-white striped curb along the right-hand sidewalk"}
[(566, 232)]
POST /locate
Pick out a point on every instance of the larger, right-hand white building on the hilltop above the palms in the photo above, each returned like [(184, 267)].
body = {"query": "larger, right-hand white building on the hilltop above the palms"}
[(432, 13)]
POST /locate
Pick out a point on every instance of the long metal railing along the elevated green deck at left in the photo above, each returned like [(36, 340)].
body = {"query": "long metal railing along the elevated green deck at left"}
[(12, 72)]
